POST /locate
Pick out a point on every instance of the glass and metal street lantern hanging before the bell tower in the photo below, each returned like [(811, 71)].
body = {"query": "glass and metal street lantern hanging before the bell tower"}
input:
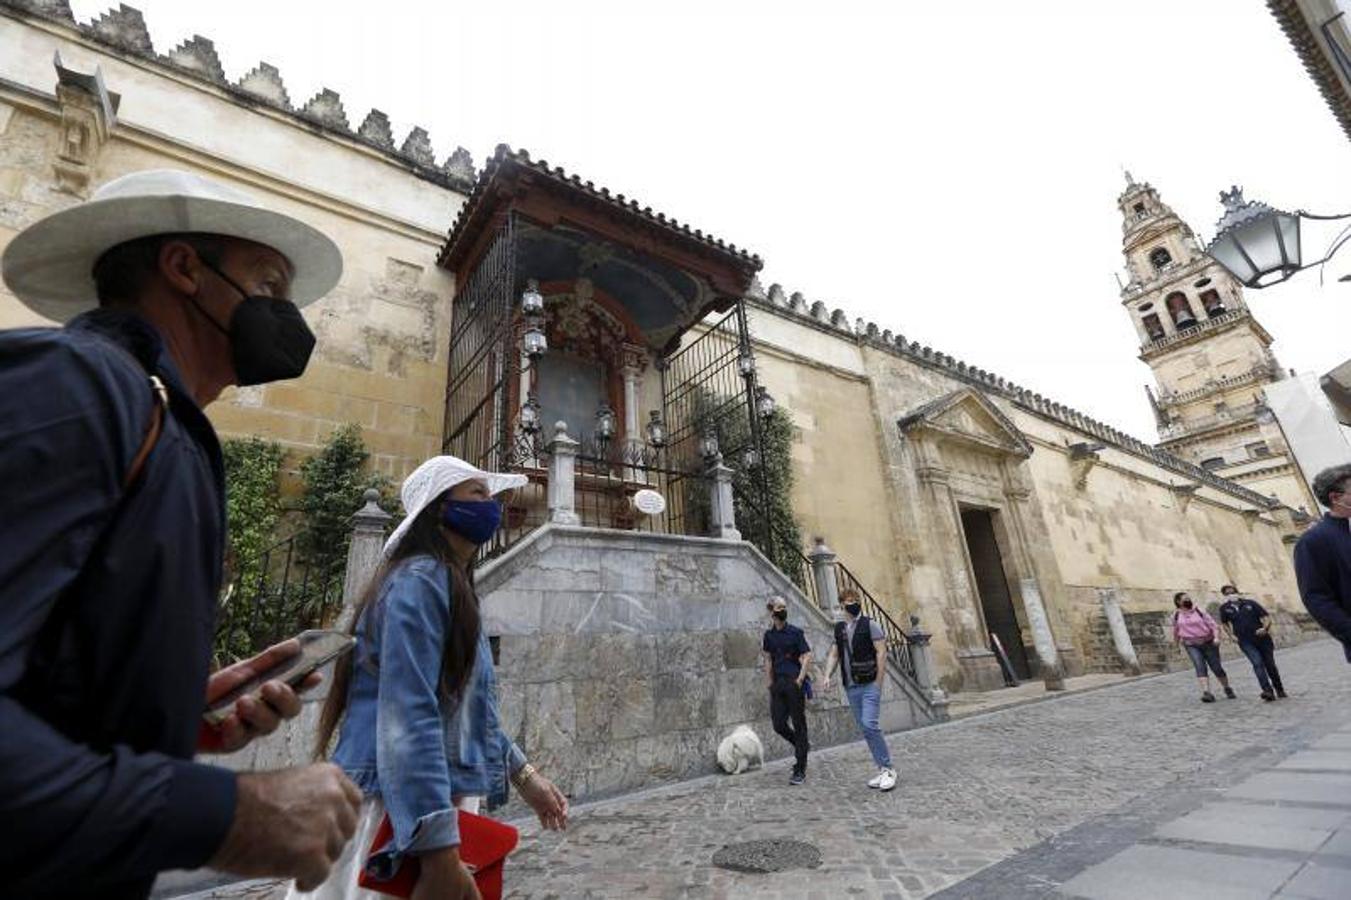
[(1256, 244)]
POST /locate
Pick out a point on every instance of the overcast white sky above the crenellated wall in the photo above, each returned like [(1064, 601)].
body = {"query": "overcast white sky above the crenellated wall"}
[(946, 170)]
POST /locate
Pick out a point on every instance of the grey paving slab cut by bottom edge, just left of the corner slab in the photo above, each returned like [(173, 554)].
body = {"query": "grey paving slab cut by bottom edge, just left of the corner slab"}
[(1167, 874)]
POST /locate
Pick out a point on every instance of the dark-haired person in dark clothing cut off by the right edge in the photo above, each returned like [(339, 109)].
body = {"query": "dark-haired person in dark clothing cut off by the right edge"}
[(1323, 557)]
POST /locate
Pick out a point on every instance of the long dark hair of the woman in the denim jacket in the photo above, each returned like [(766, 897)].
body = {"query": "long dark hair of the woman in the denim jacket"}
[(457, 660)]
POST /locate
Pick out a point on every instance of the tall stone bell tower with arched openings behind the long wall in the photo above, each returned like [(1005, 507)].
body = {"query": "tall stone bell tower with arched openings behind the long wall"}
[(1210, 356)]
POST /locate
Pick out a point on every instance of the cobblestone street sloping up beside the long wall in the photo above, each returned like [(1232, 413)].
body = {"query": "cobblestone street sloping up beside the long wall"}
[(973, 793)]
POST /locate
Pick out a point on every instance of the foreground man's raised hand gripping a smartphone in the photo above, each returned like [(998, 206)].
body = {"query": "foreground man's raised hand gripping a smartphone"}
[(252, 717)]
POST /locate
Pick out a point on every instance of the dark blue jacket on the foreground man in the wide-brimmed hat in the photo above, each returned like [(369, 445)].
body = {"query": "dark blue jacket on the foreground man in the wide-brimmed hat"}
[(107, 609)]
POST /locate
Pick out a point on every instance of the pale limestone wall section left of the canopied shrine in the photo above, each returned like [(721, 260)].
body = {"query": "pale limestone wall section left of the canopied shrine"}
[(383, 333)]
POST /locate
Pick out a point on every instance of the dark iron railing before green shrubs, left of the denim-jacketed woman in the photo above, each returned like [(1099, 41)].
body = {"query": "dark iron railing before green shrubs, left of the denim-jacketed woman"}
[(276, 595)]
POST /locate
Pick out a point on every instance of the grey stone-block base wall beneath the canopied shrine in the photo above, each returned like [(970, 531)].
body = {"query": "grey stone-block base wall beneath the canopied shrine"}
[(626, 657)]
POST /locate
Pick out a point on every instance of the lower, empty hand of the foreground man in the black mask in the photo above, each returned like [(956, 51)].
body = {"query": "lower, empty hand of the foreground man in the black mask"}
[(292, 824)]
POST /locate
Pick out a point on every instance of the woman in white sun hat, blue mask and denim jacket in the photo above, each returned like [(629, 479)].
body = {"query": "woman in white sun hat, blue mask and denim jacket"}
[(415, 706)]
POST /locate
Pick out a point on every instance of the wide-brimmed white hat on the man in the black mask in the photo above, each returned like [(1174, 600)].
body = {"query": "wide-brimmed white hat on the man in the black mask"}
[(49, 266)]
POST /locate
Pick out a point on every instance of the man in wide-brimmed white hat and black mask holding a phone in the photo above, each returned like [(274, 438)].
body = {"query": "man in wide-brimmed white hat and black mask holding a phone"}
[(170, 287)]
